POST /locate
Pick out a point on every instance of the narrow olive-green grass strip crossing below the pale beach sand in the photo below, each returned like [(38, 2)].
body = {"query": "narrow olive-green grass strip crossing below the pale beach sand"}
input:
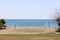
[(31, 35)]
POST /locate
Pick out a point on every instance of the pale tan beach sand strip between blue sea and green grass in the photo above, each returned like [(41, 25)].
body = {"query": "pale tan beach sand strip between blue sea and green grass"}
[(26, 30)]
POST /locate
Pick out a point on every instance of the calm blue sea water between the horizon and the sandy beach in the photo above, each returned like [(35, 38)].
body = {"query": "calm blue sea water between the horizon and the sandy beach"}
[(30, 23)]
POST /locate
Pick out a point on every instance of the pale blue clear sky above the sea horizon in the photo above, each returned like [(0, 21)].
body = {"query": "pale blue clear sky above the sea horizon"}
[(28, 9)]
